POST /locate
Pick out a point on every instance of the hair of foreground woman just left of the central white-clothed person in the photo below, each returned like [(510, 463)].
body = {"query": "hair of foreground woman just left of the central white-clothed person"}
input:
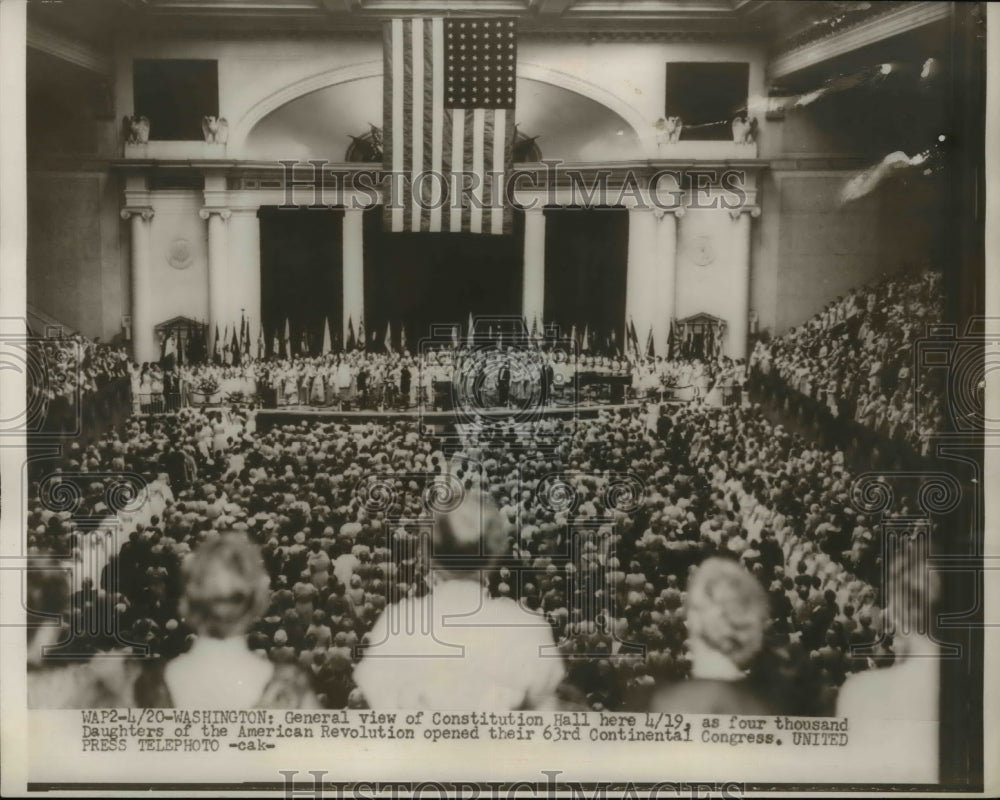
[(226, 587)]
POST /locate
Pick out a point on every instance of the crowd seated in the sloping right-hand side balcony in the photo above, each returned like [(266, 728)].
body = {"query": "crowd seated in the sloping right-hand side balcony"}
[(877, 325)]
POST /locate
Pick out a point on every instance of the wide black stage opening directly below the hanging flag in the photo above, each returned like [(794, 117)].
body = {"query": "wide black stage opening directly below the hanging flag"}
[(422, 279)]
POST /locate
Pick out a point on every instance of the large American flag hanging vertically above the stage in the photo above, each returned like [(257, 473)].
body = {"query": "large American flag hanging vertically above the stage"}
[(449, 111)]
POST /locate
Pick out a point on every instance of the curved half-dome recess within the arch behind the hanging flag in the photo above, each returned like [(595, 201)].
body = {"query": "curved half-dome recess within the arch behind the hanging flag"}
[(568, 125)]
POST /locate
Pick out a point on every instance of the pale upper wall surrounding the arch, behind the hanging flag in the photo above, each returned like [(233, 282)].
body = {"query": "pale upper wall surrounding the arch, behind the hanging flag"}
[(258, 74)]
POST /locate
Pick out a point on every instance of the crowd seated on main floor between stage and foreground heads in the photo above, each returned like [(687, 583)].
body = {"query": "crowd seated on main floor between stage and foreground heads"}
[(713, 482)]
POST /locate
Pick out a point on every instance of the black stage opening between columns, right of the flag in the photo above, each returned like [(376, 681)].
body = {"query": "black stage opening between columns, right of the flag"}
[(586, 257)]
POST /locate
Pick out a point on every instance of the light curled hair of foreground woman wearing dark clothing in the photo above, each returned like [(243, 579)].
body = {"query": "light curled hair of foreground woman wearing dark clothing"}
[(727, 609)]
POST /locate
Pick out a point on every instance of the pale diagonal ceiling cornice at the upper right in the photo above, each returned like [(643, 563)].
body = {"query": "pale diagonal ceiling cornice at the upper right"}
[(892, 23)]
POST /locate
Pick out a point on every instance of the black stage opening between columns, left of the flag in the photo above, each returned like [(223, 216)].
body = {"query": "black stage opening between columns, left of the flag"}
[(301, 265)]
